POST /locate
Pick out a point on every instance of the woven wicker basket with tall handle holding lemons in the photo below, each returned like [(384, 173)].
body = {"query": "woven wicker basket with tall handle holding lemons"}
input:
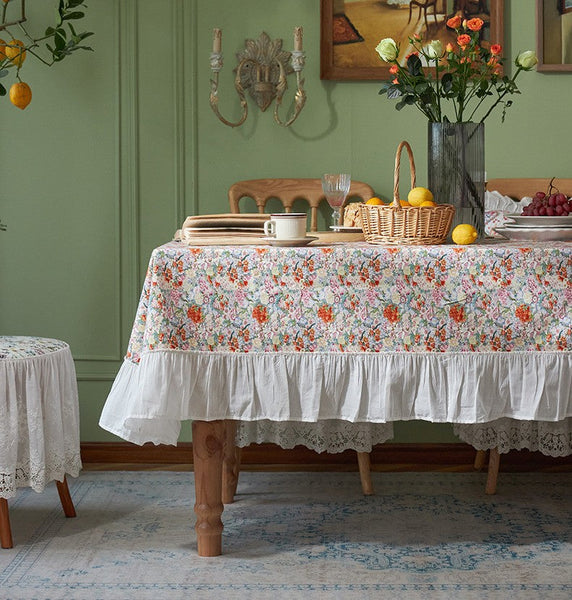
[(396, 224)]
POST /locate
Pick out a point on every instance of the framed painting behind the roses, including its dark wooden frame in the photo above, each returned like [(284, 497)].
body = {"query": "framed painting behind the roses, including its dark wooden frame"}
[(351, 29)]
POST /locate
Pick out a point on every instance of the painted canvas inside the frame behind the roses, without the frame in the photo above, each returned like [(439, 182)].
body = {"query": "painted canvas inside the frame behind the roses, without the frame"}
[(359, 25)]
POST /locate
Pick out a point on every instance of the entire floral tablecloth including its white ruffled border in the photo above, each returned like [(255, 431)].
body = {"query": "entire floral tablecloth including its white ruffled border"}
[(361, 333)]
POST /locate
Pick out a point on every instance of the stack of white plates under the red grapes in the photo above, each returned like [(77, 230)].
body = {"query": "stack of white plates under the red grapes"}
[(536, 229)]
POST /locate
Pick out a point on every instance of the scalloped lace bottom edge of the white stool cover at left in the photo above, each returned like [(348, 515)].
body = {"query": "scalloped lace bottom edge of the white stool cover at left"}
[(38, 474)]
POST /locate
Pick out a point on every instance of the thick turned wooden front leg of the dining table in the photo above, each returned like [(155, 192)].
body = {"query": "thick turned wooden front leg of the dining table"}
[(208, 446)]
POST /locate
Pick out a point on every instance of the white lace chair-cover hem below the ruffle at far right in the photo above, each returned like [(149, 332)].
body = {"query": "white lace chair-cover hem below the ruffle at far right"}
[(552, 439)]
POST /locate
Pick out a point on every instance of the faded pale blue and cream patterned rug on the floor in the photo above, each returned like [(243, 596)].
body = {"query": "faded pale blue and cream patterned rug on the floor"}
[(296, 535)]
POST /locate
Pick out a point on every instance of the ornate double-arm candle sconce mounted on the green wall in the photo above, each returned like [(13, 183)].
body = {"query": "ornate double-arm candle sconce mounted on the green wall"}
[(263, 69)]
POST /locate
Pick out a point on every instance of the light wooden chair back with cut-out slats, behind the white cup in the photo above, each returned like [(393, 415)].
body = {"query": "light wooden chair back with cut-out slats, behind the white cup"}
[(288, 191)]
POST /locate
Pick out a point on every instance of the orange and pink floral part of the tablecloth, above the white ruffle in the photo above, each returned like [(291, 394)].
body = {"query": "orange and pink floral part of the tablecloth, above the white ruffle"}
[(495, 296)]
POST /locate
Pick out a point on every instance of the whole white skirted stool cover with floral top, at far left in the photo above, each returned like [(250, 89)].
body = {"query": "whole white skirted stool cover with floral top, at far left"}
[(39, 424)]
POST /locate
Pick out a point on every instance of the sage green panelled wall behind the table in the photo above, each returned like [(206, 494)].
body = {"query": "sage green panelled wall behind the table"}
[(120, 144)]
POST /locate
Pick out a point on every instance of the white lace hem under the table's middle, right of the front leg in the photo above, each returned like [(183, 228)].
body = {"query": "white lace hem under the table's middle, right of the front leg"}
[(331, 436)]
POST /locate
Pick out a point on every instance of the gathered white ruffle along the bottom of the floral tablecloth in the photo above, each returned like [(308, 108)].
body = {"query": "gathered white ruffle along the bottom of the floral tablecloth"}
[(149, 400)]
